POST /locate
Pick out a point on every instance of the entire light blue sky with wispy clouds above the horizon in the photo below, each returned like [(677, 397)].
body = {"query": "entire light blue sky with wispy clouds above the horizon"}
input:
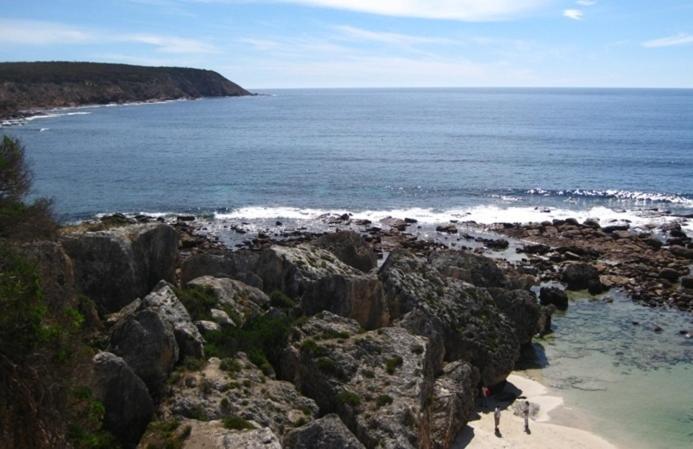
[(369, 43)]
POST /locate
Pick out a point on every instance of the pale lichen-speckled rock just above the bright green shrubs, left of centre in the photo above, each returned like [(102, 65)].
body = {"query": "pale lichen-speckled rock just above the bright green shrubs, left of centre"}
[(244, 300)]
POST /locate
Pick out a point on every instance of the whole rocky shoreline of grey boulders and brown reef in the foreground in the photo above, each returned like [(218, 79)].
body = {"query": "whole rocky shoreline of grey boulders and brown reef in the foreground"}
[(374, 335)]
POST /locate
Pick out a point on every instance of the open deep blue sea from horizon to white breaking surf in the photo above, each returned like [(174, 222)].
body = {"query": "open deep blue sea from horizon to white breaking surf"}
[(485, 153)]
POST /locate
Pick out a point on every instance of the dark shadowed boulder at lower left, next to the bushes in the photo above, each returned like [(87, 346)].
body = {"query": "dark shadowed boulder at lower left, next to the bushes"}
[(128, 407)]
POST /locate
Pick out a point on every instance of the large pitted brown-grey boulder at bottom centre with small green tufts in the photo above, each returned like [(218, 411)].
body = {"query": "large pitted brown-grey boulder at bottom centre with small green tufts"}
[(379, 382)]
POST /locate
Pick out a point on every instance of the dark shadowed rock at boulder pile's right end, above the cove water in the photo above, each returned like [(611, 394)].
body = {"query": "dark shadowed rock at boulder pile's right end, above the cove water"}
[(521, 308)]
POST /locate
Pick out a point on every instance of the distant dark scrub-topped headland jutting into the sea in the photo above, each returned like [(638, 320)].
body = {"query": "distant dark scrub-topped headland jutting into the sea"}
[(32, 85)]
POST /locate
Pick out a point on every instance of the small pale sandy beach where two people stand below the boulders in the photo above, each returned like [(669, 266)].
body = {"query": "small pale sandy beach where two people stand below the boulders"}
[(479, 433)]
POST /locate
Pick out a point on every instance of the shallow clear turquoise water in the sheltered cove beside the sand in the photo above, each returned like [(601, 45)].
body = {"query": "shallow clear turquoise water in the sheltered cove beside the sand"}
[(634, 385)]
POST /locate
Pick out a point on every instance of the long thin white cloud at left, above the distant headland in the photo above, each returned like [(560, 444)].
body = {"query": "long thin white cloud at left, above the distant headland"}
[(39, 33)]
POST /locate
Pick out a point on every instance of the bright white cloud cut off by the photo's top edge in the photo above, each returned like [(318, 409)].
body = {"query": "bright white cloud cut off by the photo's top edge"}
[(464, 10)]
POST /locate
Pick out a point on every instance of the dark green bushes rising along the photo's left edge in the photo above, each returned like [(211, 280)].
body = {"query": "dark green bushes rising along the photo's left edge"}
[(43, 349)]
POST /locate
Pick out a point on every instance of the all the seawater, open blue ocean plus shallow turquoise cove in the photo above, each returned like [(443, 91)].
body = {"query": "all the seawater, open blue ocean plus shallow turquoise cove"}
[(488, 155)]
